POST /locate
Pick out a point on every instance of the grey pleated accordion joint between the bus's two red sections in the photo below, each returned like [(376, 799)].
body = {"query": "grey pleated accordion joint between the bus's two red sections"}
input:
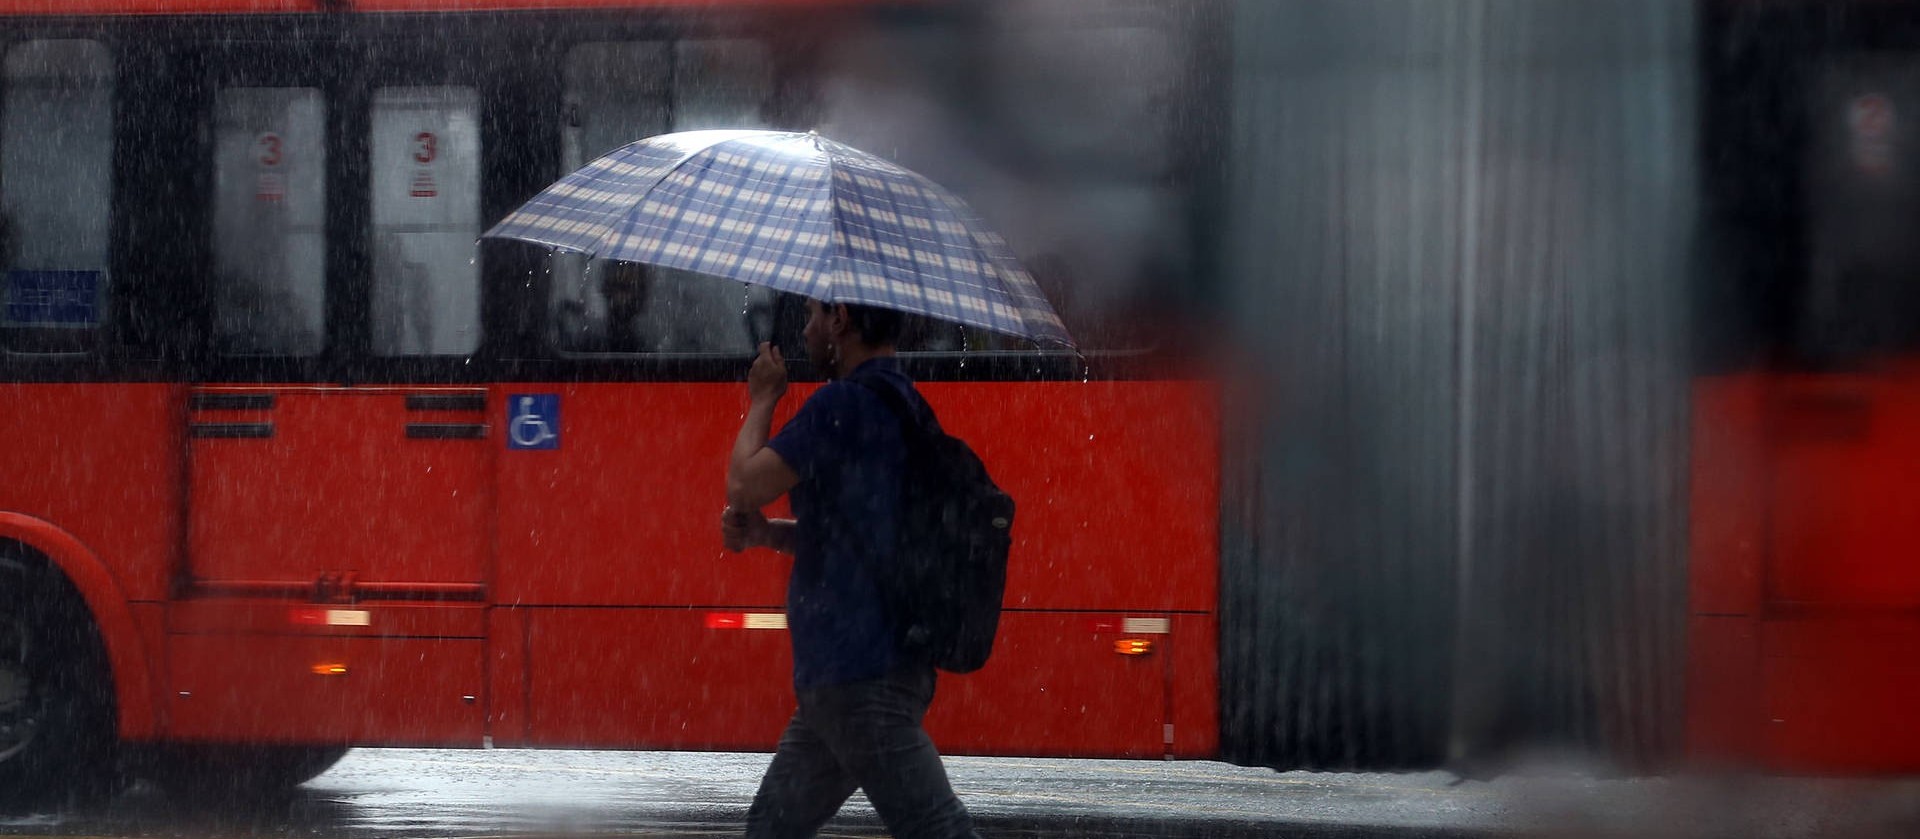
[(1456, 529)]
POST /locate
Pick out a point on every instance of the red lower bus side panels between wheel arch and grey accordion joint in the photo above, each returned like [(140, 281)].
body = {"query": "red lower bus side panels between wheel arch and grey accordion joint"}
[(619, 619)]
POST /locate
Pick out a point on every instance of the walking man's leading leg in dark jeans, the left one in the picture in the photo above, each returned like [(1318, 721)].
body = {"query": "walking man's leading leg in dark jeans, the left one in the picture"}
[(804, 788)]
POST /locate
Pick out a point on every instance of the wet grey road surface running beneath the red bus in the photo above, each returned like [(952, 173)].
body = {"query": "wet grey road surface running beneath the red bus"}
[(383, 794)]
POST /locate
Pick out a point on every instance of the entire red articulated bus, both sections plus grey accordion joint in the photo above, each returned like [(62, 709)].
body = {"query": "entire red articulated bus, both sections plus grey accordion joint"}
[(295, 466)]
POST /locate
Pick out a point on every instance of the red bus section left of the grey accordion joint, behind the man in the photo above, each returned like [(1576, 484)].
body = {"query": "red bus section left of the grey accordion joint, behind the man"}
[(299, 466)]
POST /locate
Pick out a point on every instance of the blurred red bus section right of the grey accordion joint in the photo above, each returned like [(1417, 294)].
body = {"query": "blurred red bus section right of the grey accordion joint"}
[(1806, 594)]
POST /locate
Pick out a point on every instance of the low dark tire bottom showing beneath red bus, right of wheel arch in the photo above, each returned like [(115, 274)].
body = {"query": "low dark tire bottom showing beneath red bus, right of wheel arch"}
[(241, 773)]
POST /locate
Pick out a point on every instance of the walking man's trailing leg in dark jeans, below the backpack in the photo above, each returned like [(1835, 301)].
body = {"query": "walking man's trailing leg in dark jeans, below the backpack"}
[(875, 732)]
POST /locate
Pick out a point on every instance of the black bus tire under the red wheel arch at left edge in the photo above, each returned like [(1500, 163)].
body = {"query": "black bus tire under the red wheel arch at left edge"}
[(59, 740)]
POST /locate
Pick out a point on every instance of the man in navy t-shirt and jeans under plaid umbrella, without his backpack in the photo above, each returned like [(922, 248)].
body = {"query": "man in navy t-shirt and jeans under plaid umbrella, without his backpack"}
[(861, 698)]
